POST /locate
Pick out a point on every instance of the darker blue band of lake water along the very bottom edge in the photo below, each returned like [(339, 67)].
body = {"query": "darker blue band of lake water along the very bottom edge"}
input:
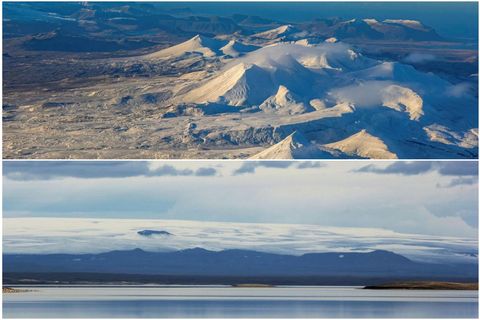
[(238, 309)]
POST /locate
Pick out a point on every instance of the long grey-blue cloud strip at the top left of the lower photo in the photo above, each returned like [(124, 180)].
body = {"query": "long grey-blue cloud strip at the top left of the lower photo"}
[(48, 170)]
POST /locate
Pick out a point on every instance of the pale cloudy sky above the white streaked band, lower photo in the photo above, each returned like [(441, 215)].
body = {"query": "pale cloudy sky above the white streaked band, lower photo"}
[(423, 197)]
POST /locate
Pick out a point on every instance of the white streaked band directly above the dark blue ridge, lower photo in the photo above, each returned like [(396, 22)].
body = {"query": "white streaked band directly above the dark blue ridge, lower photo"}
[(57, 235)]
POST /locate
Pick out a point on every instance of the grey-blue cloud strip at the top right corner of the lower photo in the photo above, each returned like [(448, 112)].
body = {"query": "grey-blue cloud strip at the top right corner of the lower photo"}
[(445, 168)]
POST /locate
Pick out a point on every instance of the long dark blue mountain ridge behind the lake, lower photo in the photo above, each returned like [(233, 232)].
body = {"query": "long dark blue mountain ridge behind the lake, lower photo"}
[(203, 262)]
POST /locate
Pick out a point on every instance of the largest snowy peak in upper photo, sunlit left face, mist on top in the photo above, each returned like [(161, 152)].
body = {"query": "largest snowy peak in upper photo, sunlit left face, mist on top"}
[(258, 75)]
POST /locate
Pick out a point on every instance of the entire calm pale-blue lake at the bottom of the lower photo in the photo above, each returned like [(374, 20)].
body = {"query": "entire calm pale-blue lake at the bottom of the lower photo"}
[(231, 302)]
